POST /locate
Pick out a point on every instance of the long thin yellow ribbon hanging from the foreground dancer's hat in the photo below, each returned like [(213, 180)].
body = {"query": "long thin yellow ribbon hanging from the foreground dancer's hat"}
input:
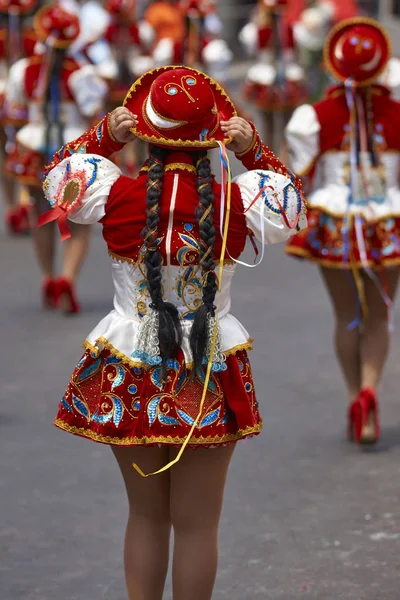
[(213, 343)]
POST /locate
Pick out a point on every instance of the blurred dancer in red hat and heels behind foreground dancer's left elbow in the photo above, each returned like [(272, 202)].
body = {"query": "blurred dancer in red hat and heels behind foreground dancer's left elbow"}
[(60, 97)]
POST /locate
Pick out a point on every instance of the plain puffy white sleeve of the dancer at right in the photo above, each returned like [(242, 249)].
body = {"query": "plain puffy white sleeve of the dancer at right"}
[(302, 136)]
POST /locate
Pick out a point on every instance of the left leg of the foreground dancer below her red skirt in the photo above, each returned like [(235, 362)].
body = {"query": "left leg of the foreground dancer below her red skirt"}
[(149, 525)]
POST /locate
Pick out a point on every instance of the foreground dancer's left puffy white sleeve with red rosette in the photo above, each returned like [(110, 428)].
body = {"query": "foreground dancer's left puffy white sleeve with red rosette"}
[(80, 186)]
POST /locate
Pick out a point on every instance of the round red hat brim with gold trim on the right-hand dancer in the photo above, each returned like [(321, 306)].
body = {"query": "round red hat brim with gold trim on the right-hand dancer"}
[(333, 37)]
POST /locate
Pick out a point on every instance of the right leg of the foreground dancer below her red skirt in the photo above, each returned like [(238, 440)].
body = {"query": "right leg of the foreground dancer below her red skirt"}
[(197, 489)]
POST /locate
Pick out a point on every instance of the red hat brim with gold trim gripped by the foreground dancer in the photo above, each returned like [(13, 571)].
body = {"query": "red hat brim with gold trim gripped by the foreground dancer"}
[(136, 98)]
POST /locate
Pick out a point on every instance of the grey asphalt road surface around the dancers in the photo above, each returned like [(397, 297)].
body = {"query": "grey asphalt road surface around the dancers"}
[(306, 514)]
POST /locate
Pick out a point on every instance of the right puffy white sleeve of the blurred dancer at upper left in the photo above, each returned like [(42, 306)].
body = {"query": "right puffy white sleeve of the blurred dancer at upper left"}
[(88, 89)]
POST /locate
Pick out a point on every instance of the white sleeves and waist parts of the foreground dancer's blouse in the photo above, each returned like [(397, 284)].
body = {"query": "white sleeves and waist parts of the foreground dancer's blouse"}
[(119, 329)]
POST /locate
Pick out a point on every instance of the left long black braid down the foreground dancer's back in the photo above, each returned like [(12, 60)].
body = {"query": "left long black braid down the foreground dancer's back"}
[(170, 329)]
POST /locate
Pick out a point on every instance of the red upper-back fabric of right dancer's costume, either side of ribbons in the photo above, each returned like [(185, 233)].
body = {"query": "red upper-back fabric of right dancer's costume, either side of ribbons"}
[(386, 114)]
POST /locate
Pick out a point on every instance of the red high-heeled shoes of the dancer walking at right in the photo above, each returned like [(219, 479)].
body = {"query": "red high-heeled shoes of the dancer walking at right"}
[(363, 419)]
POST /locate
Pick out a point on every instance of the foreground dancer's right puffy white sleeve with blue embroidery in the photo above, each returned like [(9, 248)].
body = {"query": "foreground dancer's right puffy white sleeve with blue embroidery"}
[(274, 208)]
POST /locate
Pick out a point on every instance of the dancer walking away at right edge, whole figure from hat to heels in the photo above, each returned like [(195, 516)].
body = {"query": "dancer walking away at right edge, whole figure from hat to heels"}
[(348, 148)]
